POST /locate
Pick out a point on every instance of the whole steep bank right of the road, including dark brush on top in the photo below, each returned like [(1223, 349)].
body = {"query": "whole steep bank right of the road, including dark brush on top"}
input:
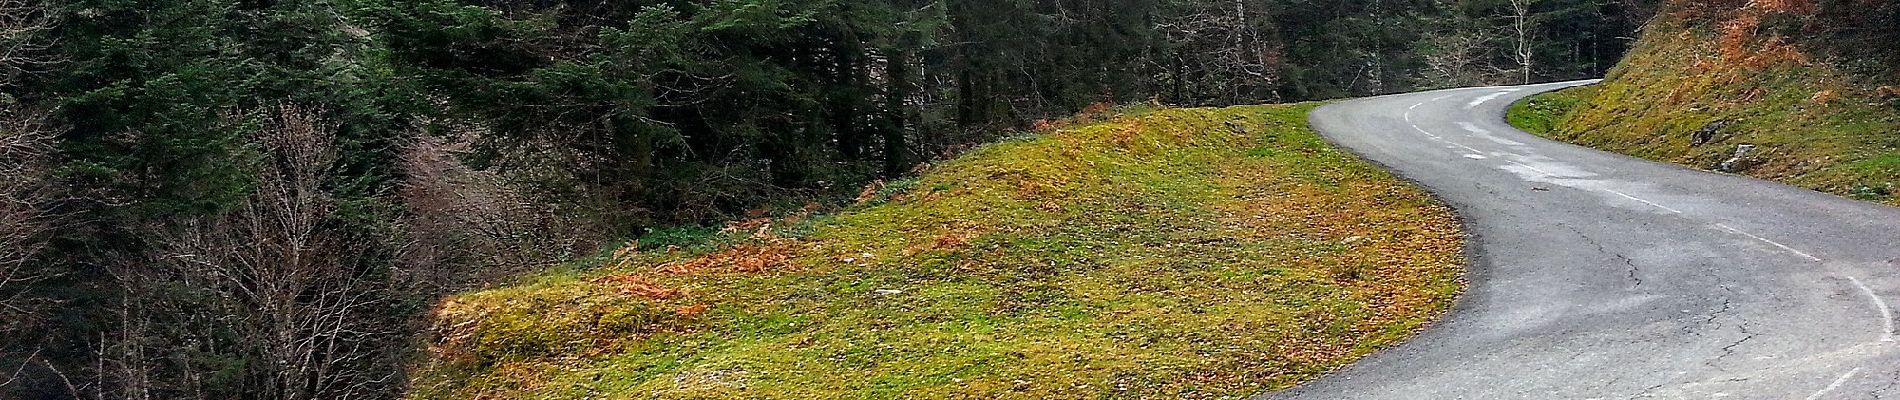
[(1810, 90)]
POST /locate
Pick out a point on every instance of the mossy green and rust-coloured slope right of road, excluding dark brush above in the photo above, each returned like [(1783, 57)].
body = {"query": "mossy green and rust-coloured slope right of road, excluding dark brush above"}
[(1814, 126)]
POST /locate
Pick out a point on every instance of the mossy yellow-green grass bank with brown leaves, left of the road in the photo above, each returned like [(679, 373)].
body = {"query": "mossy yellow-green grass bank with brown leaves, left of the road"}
[(1166, 255)]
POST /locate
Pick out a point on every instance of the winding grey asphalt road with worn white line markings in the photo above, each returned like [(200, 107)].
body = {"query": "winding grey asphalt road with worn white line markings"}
[(1599, 276)]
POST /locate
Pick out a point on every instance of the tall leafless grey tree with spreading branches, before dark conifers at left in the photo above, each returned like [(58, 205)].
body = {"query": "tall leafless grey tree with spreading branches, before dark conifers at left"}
[(275, 285)]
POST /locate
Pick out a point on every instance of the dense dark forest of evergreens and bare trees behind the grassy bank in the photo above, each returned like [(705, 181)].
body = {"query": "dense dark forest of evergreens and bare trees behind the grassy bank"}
[(261, 200)]
